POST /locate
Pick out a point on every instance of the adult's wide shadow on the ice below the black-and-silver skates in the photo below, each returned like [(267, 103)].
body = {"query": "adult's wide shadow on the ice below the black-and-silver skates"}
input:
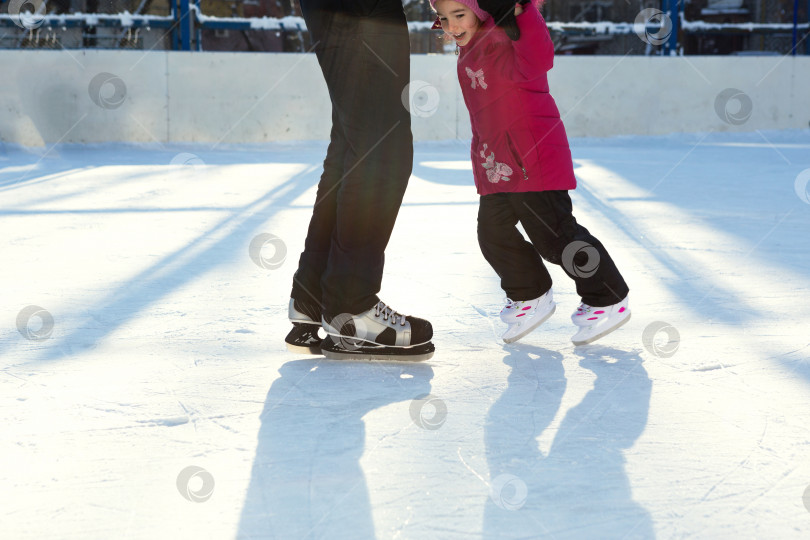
[(306, 480)]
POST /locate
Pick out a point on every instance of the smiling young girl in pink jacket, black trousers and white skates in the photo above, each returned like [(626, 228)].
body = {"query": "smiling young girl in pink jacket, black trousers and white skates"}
[(523, 170)]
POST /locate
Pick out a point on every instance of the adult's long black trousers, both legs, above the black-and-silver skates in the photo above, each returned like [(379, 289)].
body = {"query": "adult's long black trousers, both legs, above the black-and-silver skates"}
[(364, 53)]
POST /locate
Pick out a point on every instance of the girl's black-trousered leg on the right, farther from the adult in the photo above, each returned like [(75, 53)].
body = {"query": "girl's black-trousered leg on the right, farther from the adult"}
[(548, 220)]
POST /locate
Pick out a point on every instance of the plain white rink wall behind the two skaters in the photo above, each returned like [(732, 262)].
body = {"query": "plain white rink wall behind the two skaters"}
[(97, 96)]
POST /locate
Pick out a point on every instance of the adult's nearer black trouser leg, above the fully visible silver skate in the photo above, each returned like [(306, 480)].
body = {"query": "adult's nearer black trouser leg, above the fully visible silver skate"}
[(367, 76)]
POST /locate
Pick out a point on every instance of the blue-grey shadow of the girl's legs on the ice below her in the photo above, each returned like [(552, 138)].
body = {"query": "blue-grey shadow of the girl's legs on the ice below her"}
[(580, 489)]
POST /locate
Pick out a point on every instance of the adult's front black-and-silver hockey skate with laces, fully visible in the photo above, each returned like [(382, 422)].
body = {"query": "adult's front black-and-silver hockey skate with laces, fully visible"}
[(377, 334)]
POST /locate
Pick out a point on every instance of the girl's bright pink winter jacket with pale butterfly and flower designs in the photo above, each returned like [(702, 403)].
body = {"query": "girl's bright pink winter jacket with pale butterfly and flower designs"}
[(519, 142)]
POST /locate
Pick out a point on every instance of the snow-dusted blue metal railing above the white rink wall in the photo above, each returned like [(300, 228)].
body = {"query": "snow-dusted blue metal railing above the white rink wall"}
[(186, 21)]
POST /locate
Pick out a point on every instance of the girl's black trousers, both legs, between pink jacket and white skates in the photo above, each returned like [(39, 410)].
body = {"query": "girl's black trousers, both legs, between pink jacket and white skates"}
[(554, 235)]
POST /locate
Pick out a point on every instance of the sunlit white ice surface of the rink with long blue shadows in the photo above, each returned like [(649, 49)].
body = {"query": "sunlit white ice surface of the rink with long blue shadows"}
[(146, 391)]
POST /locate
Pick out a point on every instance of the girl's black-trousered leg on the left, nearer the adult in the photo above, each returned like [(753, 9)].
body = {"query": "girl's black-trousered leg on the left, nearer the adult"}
[(522, 272)]
